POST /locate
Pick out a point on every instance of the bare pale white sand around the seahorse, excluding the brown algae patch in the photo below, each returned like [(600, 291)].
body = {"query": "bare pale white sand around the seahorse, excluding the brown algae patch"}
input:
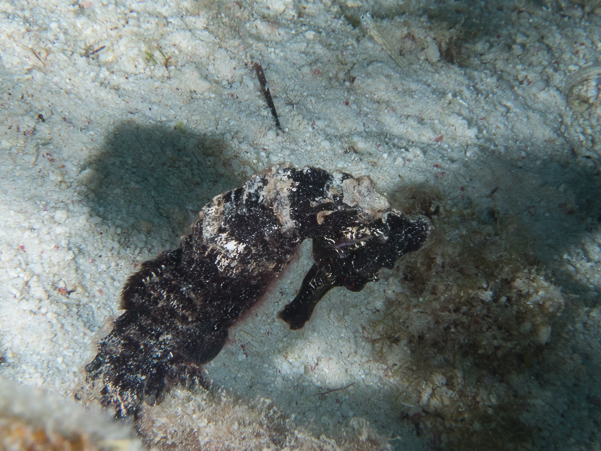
[(136, 137)]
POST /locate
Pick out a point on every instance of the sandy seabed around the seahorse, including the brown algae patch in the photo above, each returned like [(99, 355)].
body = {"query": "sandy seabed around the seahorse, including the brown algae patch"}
[(120, 120)]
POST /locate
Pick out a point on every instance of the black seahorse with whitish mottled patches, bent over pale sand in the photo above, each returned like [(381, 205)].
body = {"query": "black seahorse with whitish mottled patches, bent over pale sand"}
[(179, 307)]
